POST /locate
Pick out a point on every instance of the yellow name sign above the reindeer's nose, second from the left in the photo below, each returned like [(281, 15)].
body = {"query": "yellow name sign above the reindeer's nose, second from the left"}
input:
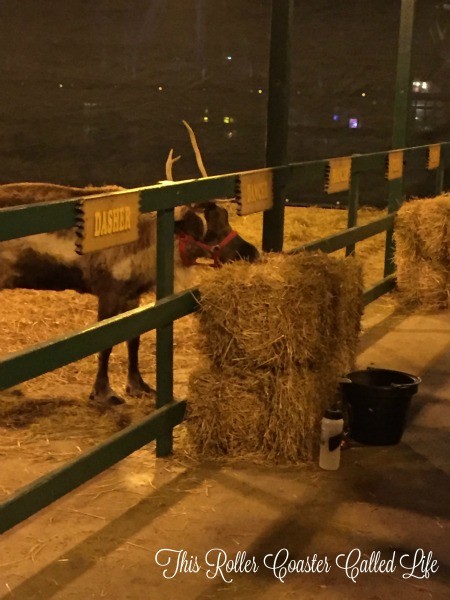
[(254, 191)]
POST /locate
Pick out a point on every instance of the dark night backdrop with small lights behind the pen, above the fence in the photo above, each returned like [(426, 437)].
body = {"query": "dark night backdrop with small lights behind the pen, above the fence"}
[(94, 92)]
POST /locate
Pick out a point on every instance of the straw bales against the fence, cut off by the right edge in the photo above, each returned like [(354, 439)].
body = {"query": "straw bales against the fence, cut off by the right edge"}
[(422, 235)]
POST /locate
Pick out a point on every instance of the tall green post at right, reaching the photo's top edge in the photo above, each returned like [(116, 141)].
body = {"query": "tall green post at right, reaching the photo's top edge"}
[(401, 113)]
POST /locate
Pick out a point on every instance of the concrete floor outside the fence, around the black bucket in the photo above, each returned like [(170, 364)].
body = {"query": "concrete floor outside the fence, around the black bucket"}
[(101, 541)]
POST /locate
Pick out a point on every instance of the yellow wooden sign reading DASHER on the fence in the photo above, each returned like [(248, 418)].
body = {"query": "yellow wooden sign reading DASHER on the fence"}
[(108, 221)]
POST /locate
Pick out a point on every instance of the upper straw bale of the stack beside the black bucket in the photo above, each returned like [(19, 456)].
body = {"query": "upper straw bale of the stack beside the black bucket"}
[(278, 313)]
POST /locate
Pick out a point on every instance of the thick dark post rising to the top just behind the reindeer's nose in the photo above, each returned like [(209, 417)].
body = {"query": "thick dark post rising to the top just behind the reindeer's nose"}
[(278, 119)]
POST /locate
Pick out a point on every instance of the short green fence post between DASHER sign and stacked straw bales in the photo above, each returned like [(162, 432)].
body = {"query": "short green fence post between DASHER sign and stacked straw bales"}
[(164, 335)]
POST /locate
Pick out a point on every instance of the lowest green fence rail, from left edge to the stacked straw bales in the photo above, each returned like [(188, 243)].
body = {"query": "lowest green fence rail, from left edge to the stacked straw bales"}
[(45, 490)]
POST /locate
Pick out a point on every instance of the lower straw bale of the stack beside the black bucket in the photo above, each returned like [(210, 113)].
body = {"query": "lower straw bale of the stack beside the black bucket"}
[(274, 416)]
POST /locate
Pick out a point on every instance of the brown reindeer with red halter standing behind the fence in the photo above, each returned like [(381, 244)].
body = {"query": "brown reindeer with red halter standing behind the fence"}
[(118, 276)]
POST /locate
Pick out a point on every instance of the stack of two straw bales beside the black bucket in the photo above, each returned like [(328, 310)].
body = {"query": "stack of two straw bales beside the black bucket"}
[(275, 337)]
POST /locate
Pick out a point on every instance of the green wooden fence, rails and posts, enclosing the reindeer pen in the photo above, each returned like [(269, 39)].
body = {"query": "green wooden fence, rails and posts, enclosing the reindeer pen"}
[(47, 217)]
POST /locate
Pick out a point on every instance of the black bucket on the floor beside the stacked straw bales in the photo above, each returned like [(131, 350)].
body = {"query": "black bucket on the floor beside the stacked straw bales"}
[(378, 401)]
